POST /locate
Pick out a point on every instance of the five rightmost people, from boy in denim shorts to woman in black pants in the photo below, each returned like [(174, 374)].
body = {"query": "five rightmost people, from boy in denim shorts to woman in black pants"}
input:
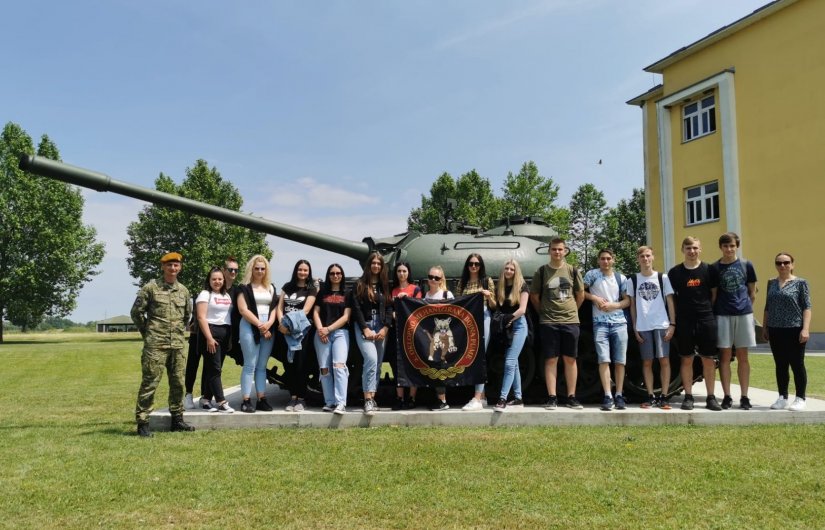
[(708, 309)]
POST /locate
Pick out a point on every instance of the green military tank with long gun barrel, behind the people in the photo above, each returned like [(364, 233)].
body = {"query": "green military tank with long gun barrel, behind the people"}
[(525, 239)]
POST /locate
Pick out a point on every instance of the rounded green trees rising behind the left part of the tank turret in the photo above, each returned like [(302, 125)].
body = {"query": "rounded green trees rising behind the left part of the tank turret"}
[(475, 203)]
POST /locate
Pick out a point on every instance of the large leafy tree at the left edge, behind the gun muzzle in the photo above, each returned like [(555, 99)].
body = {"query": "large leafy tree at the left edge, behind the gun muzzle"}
[(46, 253)]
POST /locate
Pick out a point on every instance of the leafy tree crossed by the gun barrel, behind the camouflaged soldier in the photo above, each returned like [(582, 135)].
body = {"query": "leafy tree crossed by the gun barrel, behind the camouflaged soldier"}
[(204, 243)]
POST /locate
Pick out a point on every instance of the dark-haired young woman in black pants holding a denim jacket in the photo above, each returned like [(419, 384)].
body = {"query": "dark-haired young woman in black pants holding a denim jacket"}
[(298, 294)]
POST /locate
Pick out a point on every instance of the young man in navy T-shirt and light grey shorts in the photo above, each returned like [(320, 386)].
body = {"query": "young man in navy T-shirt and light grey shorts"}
[(734, 316)]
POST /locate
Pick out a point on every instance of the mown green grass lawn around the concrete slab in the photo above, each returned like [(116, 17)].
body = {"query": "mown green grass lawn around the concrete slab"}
[(70, 459)]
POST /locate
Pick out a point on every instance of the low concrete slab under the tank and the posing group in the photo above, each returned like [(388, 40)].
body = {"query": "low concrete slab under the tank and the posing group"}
[(531, 415)]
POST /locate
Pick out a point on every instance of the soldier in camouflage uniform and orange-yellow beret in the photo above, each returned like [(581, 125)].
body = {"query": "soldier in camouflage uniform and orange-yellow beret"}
[(160, 311)]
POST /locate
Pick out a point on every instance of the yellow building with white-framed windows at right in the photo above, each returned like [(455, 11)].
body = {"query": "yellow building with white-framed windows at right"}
[(734, 140)]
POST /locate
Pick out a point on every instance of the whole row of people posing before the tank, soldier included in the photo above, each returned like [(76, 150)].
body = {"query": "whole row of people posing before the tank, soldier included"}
[(706, 307)]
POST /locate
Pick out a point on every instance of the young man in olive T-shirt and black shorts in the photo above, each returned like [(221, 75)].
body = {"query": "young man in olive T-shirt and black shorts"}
[(557, 293)]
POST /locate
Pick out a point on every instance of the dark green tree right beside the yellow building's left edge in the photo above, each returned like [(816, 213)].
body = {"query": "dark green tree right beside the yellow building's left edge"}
[(625, 230)]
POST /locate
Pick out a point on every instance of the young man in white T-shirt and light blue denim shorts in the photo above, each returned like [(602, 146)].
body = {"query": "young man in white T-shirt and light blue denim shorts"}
[(607, 290)]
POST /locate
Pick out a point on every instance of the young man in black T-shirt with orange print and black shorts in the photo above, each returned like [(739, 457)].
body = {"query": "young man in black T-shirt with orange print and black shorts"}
[(694, 285)]
